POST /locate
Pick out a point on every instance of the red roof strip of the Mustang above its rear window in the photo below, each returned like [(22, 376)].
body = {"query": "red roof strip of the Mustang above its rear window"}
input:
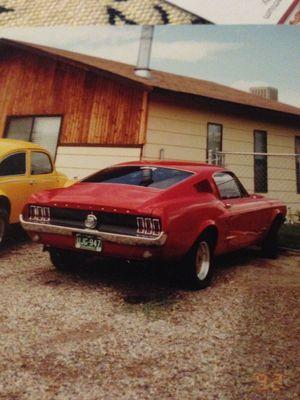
[(184, 165)]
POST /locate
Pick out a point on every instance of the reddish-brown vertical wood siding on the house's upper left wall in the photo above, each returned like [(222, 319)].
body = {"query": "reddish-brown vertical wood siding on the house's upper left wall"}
[(95, 110)]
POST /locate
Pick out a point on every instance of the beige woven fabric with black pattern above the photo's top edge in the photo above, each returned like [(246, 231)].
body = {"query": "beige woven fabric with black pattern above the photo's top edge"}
[(14, 13)]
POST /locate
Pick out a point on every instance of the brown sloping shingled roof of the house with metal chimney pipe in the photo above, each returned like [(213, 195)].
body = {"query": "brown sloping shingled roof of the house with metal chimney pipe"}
[(159, 79)]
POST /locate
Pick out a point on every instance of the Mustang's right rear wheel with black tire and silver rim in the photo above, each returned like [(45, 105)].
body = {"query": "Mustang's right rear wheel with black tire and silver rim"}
[(199, 276)]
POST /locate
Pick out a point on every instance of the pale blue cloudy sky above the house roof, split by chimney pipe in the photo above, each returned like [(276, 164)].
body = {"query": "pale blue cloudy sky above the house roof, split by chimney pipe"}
[(237, 56)]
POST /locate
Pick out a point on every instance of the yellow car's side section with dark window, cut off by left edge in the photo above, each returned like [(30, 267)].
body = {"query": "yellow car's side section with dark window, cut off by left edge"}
[(15, 182)]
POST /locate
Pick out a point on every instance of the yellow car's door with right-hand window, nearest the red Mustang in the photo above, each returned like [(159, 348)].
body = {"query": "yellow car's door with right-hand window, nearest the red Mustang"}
[(42, 173)]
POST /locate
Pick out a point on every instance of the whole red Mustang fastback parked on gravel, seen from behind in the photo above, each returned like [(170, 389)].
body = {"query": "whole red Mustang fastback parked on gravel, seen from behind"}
[(175, 211)]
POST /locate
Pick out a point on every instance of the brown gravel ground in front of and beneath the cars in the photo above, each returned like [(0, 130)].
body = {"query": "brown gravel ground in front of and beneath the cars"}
[(119, 331)]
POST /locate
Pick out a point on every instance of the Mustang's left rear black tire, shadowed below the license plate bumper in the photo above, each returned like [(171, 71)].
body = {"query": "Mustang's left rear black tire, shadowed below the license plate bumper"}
[(65, 260)]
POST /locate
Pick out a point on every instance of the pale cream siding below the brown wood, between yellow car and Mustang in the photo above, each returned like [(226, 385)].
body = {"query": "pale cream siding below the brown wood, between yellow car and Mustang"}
[(80, 161)]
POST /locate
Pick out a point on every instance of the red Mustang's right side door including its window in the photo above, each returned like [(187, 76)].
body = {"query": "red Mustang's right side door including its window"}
[(247, 216)]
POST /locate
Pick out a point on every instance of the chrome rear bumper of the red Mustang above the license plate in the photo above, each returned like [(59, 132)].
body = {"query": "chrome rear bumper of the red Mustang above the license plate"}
[(109, 237)]
